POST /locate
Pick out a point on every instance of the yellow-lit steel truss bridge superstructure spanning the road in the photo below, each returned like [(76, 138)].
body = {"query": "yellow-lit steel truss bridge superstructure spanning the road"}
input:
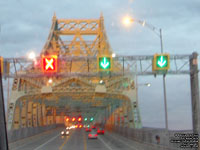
[(77, 87)]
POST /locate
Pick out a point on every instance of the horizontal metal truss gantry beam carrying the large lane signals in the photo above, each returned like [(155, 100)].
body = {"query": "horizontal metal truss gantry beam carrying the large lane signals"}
[(138, 65)]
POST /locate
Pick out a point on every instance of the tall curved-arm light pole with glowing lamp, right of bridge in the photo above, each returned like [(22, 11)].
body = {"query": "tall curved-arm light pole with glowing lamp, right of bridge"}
[(158, 32)]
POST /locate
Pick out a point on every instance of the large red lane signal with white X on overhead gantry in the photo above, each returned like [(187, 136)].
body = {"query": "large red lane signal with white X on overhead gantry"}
[(49, 63)]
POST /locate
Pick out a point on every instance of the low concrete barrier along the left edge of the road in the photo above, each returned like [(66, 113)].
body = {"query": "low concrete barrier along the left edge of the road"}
[(15, 135)]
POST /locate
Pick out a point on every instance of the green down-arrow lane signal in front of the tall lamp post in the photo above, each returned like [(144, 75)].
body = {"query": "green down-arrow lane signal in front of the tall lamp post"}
[(161, 62)]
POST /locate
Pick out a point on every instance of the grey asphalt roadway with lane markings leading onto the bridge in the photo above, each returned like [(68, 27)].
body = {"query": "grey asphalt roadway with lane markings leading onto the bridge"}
[(77, 140)]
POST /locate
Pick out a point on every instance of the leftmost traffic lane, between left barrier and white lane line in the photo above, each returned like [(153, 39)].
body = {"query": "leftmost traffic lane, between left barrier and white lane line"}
[(35, 141)]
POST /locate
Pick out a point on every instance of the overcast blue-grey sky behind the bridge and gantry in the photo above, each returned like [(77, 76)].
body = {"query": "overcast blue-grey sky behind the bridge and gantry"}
[(25, 25)]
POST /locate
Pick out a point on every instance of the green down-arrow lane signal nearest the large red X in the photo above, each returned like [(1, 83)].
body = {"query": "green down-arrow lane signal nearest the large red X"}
[(104, 63)]
